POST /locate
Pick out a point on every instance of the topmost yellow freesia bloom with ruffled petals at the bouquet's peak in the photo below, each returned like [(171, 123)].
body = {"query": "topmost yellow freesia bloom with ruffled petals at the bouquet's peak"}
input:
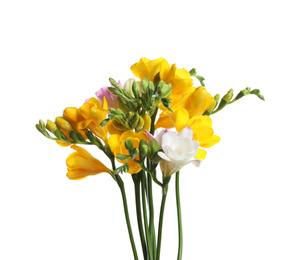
[(180, 79)]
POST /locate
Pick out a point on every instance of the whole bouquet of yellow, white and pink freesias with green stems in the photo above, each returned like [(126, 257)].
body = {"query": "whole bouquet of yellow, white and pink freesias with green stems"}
[(160, 119)]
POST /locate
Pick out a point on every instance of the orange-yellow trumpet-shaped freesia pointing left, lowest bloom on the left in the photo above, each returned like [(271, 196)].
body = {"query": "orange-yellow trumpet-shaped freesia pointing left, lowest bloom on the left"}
[(81, 164)]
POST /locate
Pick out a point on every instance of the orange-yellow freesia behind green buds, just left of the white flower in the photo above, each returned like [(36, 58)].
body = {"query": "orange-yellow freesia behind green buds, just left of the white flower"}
[(117, 146)]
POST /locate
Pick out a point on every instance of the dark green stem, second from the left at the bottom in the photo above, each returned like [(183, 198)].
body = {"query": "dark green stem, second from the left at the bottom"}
[(138, 212)]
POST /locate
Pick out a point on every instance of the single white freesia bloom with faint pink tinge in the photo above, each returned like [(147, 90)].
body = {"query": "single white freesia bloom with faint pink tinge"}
[(178, 150)]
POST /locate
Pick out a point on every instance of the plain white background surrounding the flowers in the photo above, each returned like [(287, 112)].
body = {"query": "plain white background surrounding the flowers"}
[(242, 203)]
